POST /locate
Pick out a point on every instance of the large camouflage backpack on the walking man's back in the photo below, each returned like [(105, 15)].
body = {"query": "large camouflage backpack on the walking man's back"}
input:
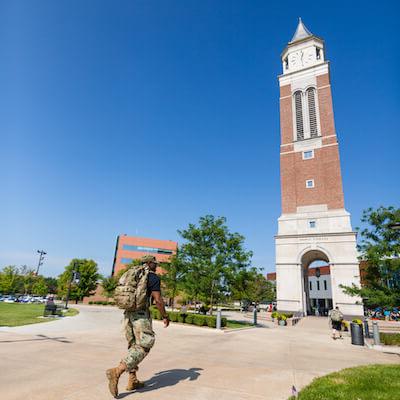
[(131, 292)]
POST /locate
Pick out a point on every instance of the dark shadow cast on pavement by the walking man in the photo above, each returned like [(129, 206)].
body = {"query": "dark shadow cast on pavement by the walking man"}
[(167, 378)]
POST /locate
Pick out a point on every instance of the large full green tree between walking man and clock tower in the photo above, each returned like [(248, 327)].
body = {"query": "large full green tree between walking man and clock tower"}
[(212, 257)]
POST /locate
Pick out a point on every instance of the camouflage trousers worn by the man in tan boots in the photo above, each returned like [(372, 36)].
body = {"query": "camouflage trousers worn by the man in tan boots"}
[(140, 336)]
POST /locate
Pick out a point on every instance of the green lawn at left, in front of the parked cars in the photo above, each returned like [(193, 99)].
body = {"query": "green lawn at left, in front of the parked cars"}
[(16, 314)]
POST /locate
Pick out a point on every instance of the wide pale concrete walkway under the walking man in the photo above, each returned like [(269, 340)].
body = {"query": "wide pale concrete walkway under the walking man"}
[(66, 359)]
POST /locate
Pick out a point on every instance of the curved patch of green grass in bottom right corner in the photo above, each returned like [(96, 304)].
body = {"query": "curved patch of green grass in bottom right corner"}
[(372, 382)]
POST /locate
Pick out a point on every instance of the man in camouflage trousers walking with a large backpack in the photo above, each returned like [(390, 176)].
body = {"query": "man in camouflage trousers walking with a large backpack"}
[(135, 289)]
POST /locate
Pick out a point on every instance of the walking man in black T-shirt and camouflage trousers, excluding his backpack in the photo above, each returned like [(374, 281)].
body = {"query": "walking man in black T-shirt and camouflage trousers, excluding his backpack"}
[(139, 332)]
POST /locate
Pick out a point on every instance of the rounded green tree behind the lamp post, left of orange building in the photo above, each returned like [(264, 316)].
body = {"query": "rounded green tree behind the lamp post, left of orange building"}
[(88, 278)]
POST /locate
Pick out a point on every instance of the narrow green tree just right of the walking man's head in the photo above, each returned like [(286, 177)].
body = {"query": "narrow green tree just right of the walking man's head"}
[(173, 273)]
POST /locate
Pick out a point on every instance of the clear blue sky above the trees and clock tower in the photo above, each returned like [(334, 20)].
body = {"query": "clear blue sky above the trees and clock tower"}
[(139, 117)]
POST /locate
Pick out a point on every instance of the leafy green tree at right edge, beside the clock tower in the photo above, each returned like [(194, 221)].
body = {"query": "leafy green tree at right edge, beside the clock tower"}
[(380, 248)]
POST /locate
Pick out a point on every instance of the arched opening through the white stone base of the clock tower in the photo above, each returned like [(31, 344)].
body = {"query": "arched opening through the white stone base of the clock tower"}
[(317, 292)]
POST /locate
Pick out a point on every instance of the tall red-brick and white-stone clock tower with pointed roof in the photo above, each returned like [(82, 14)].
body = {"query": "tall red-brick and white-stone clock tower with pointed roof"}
[(314, 225)]
